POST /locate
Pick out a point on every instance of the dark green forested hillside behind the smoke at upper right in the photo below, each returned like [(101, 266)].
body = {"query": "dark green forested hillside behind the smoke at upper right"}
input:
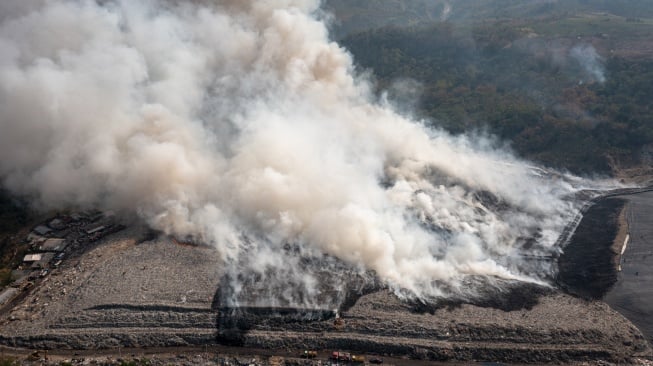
[(572, 91)]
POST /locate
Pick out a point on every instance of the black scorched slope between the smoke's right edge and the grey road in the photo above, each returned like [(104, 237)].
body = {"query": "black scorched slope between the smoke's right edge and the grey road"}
[(586, 267)]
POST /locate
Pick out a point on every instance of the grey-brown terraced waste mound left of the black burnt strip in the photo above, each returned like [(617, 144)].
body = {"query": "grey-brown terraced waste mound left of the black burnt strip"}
[(122, 294)]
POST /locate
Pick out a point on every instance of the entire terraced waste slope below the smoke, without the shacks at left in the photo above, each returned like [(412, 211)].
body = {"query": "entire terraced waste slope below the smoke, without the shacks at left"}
[(122, 293)]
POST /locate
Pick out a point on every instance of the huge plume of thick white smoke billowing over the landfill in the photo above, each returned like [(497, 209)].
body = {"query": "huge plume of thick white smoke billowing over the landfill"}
[(240, 124)]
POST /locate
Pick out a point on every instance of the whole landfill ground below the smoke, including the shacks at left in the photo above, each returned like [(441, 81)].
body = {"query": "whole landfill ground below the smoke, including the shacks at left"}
[(95, 284)]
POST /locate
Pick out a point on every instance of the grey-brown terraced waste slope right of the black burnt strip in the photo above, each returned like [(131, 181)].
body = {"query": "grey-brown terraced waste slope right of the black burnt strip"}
[(559, 329)]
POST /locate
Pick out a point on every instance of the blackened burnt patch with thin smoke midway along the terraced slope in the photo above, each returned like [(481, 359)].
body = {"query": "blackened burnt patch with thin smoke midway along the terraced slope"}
[(245, 301)]
